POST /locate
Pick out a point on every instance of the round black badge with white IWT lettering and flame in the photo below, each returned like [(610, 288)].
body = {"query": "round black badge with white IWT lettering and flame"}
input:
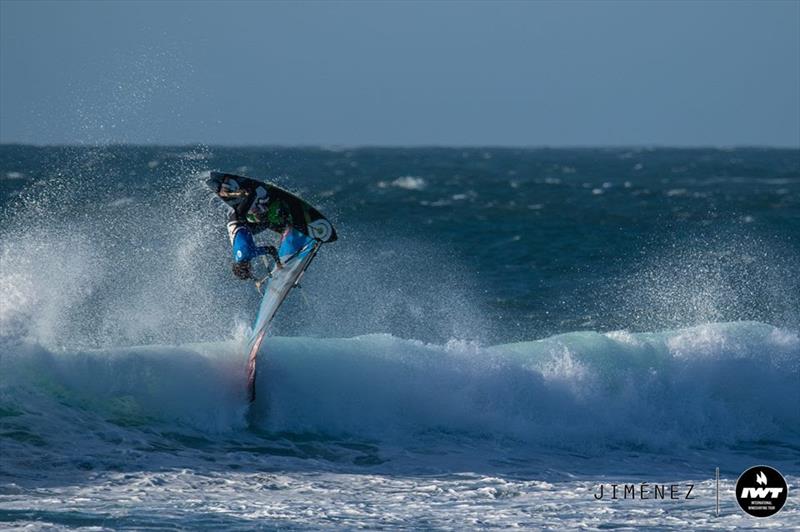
[(761, 491)]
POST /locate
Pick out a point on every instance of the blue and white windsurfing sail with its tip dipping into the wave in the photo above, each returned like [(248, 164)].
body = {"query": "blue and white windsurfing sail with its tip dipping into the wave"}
[(296, 252)]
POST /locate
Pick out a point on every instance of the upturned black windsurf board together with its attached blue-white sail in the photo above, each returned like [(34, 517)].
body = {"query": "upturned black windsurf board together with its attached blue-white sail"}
[(304, 229)]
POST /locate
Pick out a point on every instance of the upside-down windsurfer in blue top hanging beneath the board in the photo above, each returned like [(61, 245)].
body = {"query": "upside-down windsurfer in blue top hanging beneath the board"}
[(251, 212)]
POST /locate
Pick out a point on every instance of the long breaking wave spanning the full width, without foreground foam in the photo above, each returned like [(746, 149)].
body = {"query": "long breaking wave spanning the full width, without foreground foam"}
[(707, 386)]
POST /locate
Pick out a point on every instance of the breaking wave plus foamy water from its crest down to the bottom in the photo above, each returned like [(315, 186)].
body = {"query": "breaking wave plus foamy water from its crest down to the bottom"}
[(376, 431)]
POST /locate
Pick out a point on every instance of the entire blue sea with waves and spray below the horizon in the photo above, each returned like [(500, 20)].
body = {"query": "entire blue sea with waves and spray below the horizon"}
[(496, 333)]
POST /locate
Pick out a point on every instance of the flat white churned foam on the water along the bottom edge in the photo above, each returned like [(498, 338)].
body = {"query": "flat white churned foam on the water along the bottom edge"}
[(334, 500)]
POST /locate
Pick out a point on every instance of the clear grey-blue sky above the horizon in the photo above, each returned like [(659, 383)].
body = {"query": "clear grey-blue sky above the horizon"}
[(572, 73)]
